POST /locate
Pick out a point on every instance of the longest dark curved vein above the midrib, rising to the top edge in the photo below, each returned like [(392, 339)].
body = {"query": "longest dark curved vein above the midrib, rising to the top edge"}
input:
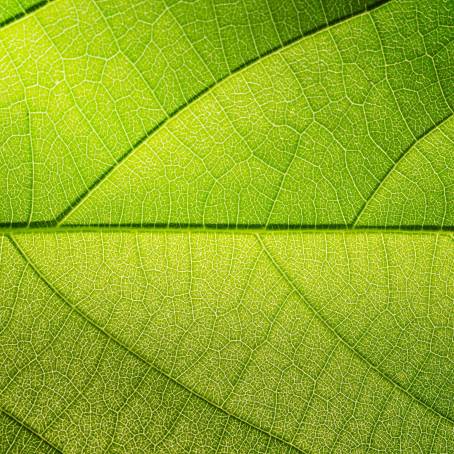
[(81, 198)]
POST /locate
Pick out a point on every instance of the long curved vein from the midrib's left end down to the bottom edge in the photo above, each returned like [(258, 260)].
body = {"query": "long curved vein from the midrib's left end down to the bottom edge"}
[(137, 355)]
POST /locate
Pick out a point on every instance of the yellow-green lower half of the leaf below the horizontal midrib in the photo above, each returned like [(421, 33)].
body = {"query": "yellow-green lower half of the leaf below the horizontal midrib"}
[(182, 342)]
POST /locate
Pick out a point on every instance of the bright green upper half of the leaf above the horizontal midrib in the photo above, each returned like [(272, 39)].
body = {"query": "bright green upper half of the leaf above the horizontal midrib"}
[(308, 125)]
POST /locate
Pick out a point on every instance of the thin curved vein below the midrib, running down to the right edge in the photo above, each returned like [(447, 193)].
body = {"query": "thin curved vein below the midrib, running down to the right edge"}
[(351, 348)]
